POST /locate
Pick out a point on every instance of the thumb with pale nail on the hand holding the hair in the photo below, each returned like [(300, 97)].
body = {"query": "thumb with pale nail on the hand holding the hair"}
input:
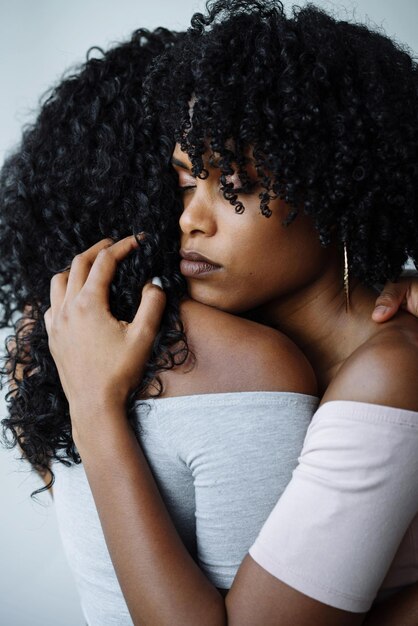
[(147, 321)]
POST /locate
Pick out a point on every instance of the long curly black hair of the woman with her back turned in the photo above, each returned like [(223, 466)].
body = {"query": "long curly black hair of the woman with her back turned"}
[(88, 168)]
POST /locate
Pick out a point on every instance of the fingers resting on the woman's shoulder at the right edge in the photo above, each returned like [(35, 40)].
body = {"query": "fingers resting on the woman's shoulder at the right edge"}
[(402, 294)]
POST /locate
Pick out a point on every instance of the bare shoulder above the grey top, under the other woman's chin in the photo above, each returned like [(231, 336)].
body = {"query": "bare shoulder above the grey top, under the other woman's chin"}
[(234, 354)]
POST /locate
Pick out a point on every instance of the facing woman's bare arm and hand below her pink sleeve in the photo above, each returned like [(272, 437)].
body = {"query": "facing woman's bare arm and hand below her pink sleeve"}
[(164, 586)]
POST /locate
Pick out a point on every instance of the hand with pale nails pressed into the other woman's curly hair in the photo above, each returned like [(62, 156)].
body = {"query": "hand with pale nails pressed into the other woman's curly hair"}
[(100, 359)]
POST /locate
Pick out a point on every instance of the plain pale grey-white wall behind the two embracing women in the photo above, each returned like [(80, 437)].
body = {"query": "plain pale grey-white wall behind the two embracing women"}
[(39, 40)]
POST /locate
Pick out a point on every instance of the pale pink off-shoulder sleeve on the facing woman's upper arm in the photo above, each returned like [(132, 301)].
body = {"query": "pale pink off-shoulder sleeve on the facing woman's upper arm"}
[(335, 530)]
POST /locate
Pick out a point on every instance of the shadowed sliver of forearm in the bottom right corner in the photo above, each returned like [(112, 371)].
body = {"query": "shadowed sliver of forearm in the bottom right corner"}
[(401, 609)]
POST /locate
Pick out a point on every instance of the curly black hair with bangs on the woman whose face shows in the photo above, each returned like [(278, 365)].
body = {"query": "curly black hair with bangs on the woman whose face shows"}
[(329, 108)]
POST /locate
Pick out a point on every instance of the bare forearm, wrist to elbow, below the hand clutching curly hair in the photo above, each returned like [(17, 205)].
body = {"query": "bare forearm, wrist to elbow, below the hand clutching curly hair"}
[(159, 579)]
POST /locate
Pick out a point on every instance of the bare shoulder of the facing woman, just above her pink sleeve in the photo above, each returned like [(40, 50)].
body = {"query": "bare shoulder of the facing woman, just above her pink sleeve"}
[(384, 370)]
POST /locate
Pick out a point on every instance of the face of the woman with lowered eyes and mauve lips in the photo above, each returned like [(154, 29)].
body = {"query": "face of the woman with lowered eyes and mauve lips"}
[(238, 262)]
